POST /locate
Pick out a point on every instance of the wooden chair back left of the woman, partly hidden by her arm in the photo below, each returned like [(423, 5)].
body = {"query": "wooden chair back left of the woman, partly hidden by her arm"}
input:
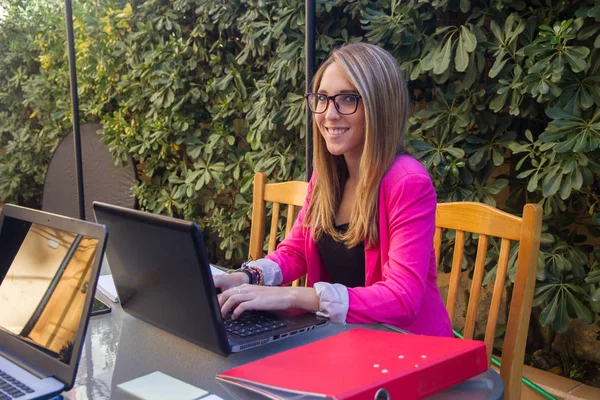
[(291, 194)]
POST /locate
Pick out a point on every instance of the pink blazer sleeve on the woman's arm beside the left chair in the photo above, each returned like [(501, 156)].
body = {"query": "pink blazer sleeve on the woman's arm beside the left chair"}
[(290, 254)]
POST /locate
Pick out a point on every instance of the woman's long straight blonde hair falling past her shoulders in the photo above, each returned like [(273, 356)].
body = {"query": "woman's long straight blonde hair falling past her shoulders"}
[(378, 79)]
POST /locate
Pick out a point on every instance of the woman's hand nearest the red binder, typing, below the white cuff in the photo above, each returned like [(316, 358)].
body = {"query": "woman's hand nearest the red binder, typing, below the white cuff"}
[(253, 297)]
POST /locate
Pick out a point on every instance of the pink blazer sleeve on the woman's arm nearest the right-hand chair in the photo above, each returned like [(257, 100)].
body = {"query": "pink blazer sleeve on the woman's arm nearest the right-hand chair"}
[(410, 205)]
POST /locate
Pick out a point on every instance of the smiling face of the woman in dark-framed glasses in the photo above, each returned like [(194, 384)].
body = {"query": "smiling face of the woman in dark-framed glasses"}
[(343, 134)]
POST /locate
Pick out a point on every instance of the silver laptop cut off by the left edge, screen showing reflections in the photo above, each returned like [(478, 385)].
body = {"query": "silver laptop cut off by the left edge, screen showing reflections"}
[(49, 265)]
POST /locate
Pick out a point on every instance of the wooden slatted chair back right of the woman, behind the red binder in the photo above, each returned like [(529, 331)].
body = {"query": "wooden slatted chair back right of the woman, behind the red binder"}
[(489, 221)]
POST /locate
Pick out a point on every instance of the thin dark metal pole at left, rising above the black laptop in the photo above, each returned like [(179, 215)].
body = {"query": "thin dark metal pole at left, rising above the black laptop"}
[(75, 108)]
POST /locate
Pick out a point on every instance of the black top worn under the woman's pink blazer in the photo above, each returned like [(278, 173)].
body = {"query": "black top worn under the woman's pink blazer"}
[(344, 265)]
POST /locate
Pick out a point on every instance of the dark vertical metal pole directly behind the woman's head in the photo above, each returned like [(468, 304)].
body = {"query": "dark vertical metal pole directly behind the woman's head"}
[(309, 44)]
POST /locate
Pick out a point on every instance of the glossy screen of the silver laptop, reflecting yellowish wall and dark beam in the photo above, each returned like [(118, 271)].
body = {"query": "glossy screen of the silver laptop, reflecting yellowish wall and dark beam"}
[(44, 276)]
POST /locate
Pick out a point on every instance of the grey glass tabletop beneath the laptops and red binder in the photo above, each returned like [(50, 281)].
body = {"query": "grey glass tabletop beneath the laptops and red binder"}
[(120, 348)]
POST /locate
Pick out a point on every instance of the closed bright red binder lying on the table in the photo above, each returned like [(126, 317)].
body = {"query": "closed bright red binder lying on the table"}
[(358, 363)]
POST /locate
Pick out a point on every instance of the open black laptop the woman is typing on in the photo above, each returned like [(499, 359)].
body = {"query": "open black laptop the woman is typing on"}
[(162, 275)]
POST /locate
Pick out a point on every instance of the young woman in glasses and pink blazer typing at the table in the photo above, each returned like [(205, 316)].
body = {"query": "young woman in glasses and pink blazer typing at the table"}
[(364, 236)]
